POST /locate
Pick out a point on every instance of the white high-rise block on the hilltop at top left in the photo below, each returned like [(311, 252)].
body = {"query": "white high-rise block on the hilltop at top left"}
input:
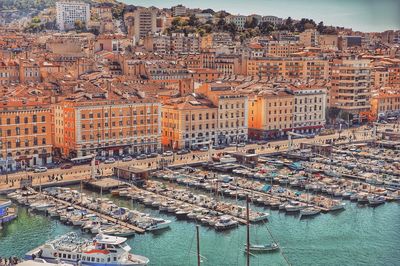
[(70, 12)]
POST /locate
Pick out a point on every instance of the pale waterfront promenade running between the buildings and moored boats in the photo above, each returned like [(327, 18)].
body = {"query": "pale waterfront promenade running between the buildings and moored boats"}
[(84, 171)]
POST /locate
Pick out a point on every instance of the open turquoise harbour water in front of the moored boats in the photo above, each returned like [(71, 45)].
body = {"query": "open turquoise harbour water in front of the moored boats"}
[(356, 236)]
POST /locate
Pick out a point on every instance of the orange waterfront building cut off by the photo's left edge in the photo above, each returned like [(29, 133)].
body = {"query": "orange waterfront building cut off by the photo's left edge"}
[(26, 138)]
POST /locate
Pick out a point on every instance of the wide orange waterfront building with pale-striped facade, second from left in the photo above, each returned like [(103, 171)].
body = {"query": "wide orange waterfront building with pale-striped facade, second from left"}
[(107, 127)]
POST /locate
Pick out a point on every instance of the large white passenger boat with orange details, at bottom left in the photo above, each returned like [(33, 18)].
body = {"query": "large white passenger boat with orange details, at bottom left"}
[(104, 250)]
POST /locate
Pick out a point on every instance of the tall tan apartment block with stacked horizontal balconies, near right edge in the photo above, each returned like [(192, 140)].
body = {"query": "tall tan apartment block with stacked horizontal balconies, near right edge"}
[(351, 85)]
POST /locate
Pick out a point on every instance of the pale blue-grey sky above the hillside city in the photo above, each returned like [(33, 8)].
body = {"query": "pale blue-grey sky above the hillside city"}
[(362, 15)]
